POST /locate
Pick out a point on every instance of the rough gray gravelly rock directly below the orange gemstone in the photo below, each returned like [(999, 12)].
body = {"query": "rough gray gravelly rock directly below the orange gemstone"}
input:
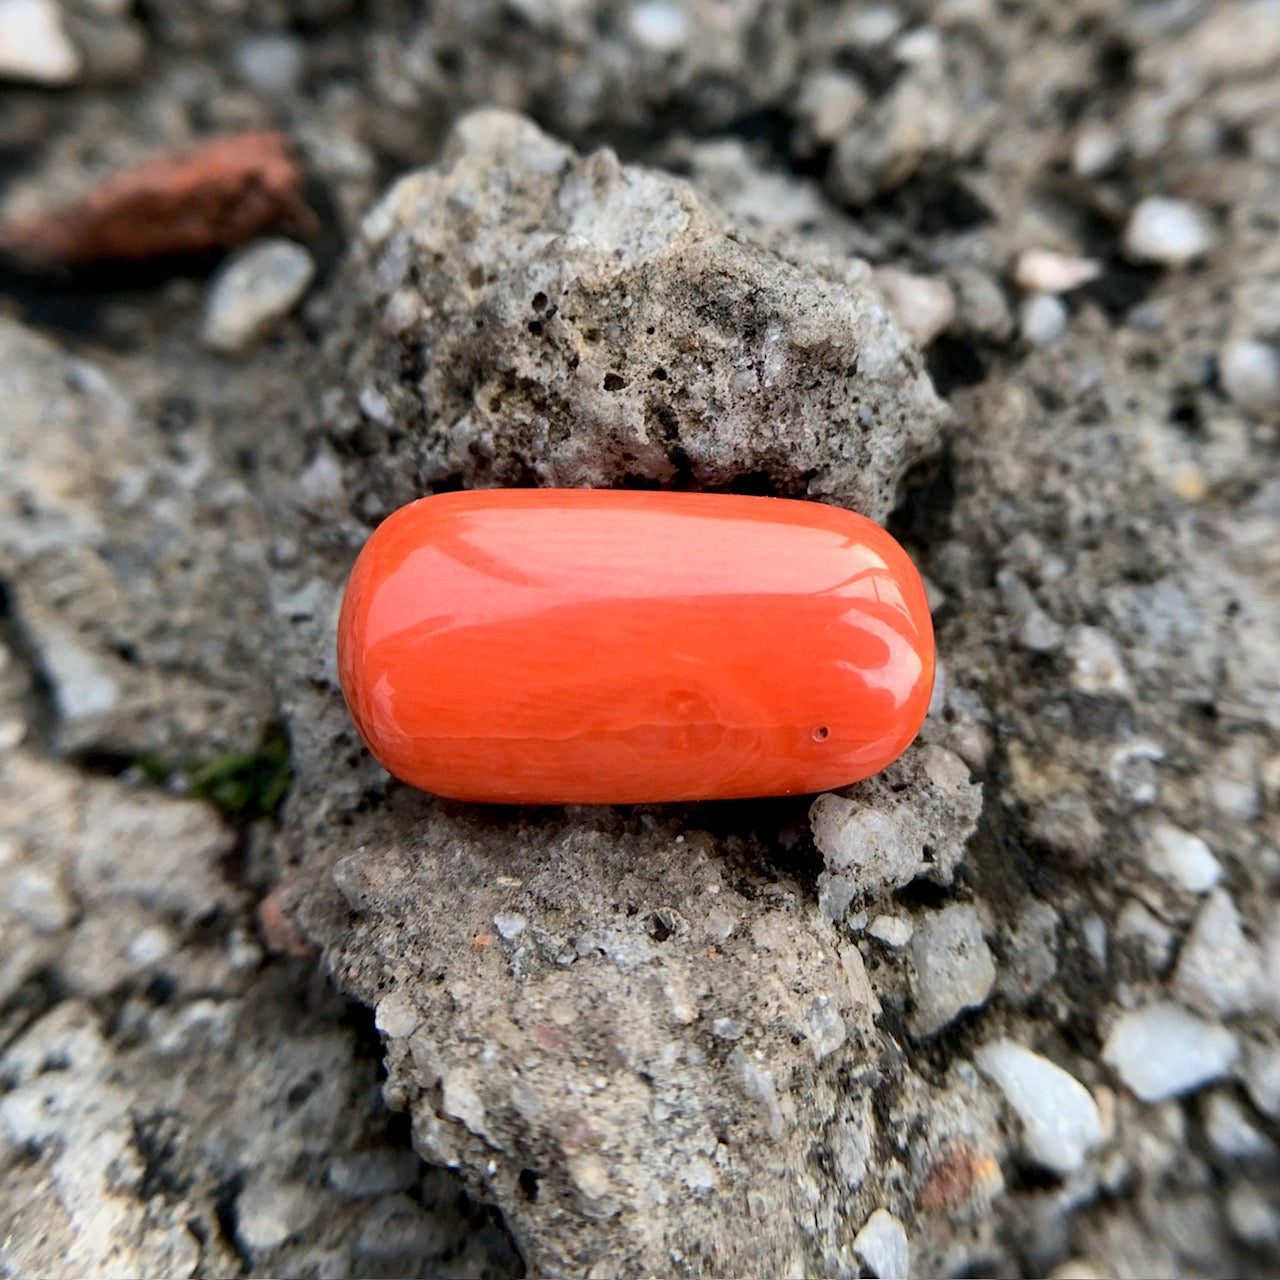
[(589, 1054)]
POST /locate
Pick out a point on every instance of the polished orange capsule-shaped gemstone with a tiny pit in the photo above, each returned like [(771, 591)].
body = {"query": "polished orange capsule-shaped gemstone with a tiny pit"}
[(601, 647)]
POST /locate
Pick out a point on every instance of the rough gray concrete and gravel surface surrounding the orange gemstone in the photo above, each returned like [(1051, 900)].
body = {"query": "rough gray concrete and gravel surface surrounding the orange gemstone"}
[(1004, 276)]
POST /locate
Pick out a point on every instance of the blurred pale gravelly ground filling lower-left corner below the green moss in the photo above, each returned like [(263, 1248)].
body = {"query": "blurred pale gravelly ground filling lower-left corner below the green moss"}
[(173, 1101)]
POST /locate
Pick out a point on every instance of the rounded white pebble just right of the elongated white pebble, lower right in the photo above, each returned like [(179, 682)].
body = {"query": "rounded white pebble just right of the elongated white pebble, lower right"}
[(1162, 1052)]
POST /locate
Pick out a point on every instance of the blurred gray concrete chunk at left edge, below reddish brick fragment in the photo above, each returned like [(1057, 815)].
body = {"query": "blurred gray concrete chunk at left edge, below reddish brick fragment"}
[(132, 560)]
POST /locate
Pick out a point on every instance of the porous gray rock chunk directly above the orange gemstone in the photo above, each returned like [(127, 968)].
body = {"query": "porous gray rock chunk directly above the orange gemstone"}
[(522, 314)]
